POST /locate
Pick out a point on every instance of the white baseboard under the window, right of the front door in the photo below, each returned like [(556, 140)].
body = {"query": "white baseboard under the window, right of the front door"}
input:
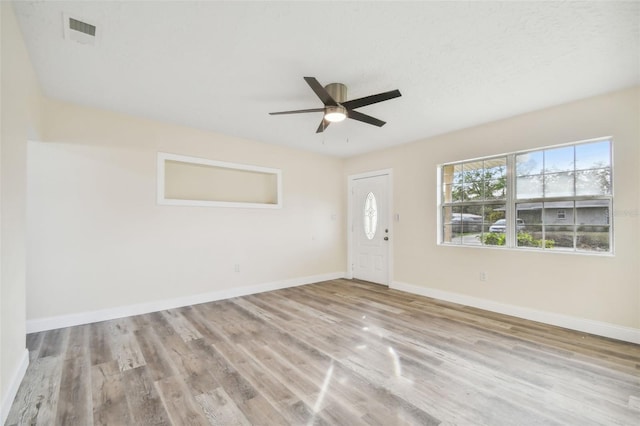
[(627, 334)]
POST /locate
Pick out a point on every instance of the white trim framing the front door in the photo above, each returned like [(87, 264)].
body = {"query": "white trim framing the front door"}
[(350, 211)]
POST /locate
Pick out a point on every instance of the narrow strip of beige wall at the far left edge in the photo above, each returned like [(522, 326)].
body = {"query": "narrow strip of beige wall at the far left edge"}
[(19, 118)]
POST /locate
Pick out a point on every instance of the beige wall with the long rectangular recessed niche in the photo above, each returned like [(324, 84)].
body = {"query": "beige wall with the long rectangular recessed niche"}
[(98, 240)]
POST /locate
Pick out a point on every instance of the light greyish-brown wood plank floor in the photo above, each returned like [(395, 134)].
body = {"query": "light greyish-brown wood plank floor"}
[(340, 353)]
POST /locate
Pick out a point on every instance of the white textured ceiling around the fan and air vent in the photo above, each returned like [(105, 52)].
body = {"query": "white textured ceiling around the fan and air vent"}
[(223, 66)]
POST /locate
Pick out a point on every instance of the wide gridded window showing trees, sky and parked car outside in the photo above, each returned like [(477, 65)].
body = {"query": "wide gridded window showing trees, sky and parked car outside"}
[(556, 198)]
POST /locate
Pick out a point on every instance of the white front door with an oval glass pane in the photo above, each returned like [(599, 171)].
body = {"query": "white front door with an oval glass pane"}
[(370, 228)]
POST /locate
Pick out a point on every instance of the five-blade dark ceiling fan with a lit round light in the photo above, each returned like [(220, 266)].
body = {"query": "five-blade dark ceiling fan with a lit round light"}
[(337, 107)]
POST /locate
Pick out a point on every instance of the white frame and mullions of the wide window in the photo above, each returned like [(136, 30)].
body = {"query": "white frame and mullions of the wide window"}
[(511, 202)]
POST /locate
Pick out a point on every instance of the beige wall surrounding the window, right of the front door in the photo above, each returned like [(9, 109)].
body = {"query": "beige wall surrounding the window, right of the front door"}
[(599, 288)]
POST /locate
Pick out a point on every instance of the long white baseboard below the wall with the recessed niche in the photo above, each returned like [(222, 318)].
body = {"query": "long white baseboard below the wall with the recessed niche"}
[(50, 323)]
